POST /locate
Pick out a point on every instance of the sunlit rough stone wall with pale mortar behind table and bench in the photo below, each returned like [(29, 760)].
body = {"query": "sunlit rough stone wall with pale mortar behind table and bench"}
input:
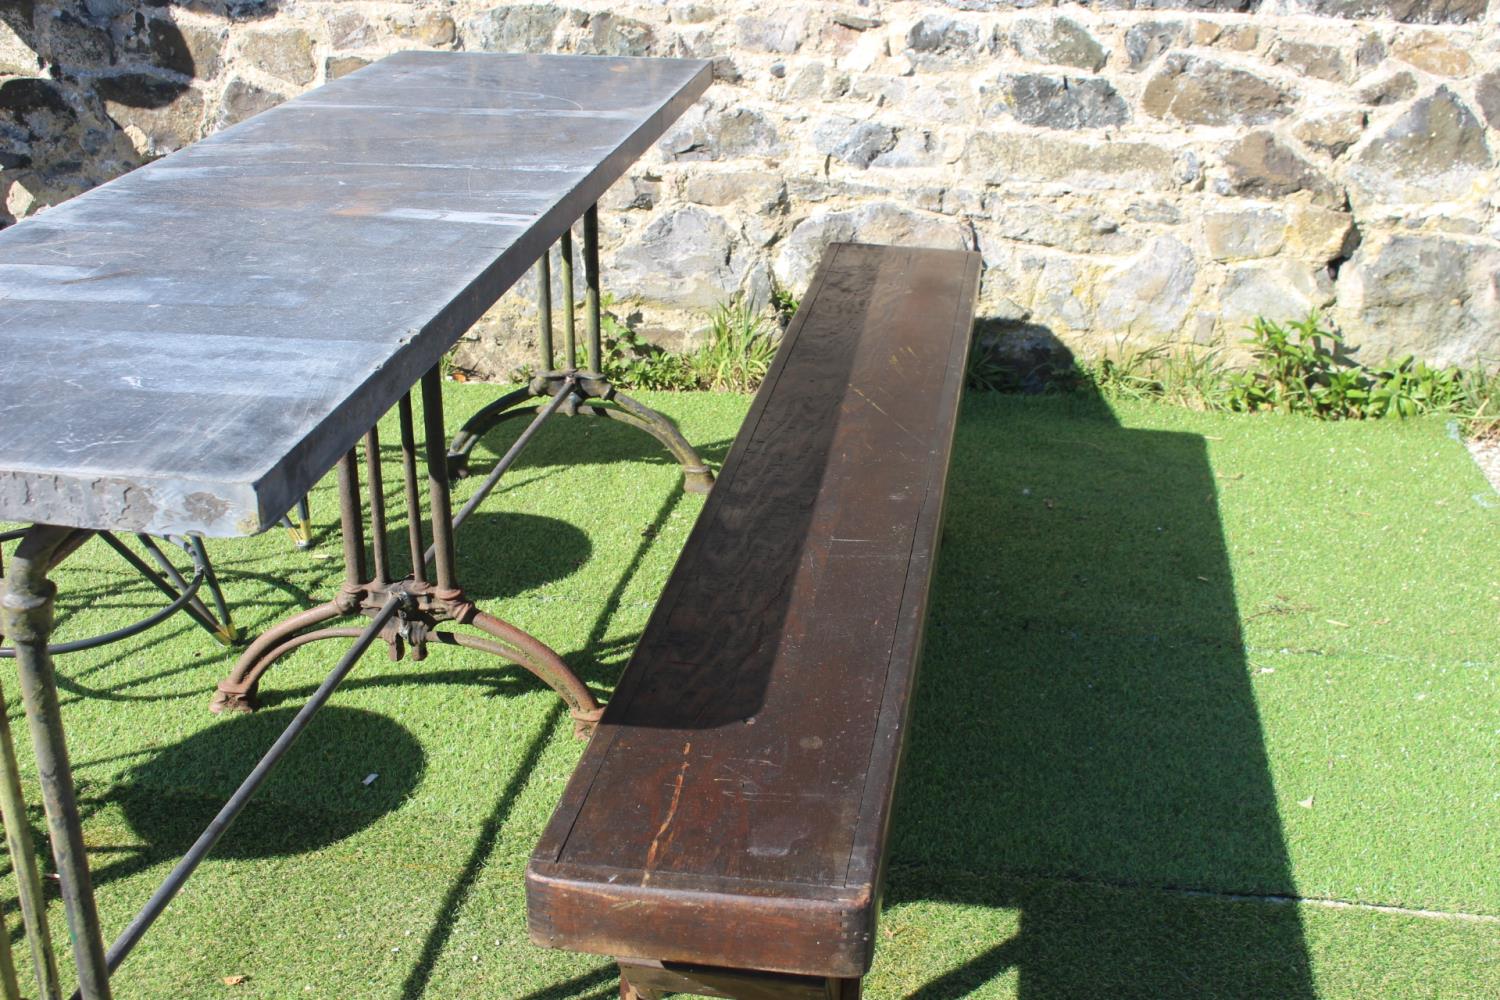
[(1156, 170)]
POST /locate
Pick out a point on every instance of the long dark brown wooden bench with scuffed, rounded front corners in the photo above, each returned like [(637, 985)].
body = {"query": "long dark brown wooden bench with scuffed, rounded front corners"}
[(725, 831)]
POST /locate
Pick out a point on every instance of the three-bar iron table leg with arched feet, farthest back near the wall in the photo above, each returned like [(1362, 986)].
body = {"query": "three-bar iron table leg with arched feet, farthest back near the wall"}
[(586, 389)]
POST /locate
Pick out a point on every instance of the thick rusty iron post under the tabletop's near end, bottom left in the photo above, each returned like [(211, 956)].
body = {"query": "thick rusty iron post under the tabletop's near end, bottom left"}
[(28, 620)]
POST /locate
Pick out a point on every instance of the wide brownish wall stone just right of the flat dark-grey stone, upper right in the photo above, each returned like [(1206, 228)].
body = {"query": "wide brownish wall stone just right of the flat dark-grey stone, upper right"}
[(1207, 92)]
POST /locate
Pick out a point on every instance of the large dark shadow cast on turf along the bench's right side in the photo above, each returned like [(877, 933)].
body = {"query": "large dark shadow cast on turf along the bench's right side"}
[(1087, 747)]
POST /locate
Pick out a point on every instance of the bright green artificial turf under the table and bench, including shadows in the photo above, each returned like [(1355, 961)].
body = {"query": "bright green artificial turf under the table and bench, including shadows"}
[(1175, 662)]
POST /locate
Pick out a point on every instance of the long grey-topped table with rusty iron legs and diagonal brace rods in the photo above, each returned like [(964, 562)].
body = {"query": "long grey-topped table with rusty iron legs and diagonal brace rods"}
[(187, 350)]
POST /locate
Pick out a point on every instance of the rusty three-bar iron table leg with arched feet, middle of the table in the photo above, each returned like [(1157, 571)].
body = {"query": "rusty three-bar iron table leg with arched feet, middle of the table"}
[(425, 600)]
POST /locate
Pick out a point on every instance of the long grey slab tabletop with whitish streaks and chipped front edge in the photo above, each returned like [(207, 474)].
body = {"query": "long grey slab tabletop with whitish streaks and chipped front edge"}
[(191, 347)]
